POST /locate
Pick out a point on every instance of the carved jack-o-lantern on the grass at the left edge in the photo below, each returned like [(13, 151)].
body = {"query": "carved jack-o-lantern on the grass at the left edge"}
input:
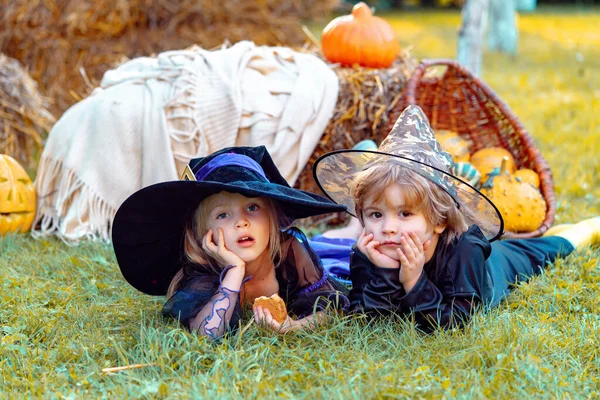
[(17, 197)]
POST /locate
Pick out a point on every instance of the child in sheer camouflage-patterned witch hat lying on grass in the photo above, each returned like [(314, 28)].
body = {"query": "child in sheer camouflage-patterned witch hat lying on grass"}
[(425, 246)]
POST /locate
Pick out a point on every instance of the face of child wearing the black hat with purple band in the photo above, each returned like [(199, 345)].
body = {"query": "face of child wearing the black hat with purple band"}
[(245, 223)]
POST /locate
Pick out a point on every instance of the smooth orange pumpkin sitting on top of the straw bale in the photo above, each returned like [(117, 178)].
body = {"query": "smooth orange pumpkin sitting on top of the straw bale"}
[(360, 38)]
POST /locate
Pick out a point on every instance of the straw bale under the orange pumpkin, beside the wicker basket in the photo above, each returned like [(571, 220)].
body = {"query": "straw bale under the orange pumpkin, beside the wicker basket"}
[(362, 112)]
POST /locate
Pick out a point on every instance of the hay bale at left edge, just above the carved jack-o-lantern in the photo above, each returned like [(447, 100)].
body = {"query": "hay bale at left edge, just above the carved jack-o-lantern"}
[(24, 119)]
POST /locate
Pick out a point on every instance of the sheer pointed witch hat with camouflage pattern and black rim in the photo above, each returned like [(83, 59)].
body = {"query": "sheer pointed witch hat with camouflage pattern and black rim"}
[(412, 145)]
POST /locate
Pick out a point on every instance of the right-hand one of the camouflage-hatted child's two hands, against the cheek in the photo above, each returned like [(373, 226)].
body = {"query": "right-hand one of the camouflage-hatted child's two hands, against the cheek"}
[(412, 259)]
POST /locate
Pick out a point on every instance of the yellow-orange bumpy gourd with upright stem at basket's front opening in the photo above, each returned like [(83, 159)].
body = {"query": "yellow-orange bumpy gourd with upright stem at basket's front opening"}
[(521, 205)]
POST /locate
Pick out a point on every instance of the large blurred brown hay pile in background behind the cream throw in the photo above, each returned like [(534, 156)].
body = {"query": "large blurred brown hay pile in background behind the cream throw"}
[(68, 45)]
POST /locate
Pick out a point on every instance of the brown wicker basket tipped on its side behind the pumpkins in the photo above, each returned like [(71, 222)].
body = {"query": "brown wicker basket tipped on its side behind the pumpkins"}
[(459, 101)]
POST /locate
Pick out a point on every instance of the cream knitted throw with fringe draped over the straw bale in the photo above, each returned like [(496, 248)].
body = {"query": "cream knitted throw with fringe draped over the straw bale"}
[(151, 115)]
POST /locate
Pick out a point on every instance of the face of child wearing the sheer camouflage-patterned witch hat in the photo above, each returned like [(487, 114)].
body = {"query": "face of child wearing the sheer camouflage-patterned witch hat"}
[(391, 217)]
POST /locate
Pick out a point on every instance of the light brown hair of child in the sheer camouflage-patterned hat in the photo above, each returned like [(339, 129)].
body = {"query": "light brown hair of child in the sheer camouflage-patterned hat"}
[(420, 194)]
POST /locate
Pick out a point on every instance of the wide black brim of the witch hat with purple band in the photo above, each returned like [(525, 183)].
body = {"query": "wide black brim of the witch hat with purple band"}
[(148, 228)]
